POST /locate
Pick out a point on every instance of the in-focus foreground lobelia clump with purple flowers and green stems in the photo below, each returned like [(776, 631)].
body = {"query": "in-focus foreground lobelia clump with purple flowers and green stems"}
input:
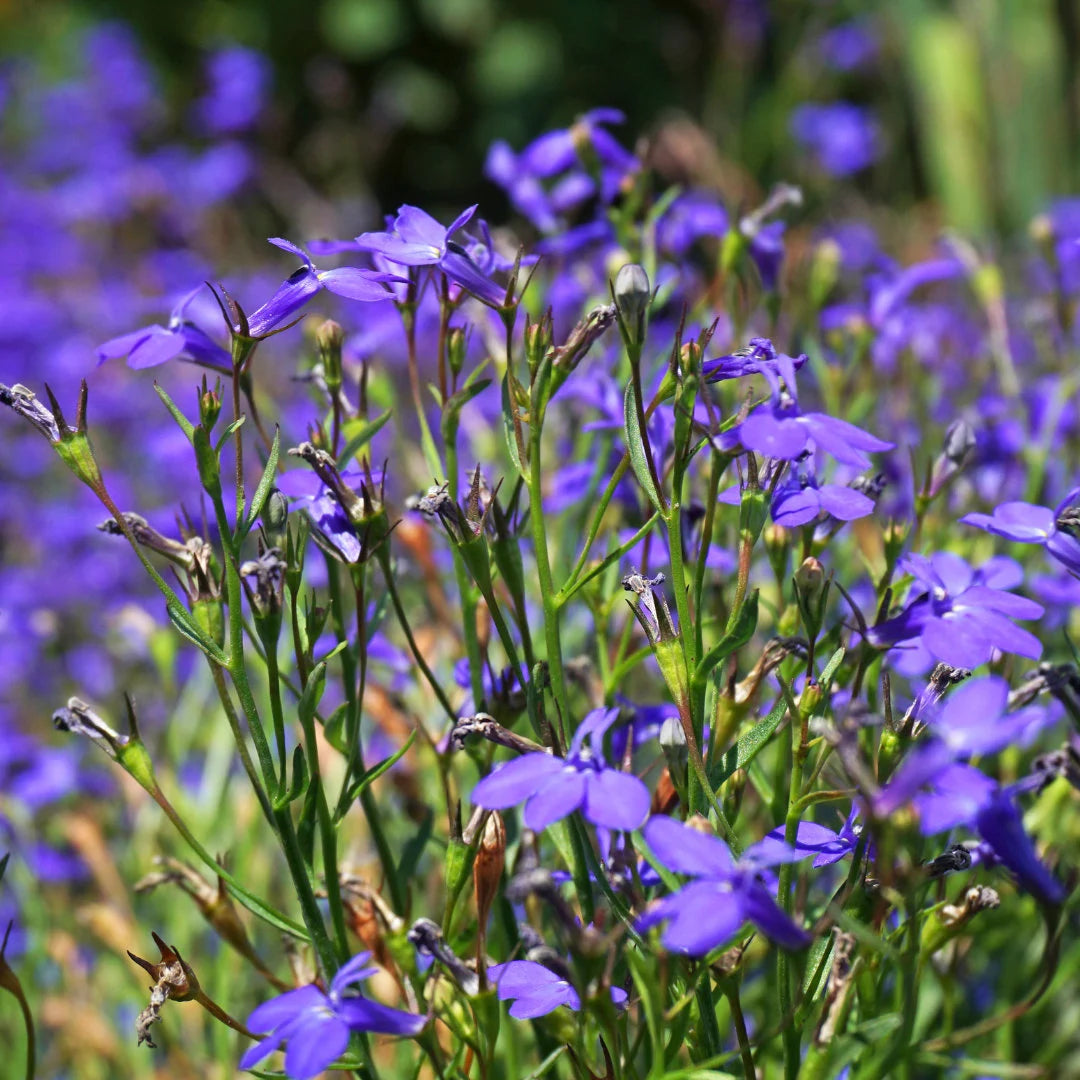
[(731, 856)]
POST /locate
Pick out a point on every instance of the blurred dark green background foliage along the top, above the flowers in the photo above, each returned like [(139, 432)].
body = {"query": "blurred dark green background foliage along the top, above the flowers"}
[(978, 102)]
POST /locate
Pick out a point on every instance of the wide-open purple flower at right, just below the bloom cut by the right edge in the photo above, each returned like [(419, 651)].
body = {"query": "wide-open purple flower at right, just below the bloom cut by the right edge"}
[(963, 615)]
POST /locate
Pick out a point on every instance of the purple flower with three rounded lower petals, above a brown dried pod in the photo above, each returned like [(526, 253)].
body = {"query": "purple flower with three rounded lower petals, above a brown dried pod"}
[(556, 787)]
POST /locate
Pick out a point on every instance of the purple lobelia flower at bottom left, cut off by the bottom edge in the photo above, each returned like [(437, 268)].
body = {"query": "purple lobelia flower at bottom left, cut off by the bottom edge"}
[(317, 1027)]
